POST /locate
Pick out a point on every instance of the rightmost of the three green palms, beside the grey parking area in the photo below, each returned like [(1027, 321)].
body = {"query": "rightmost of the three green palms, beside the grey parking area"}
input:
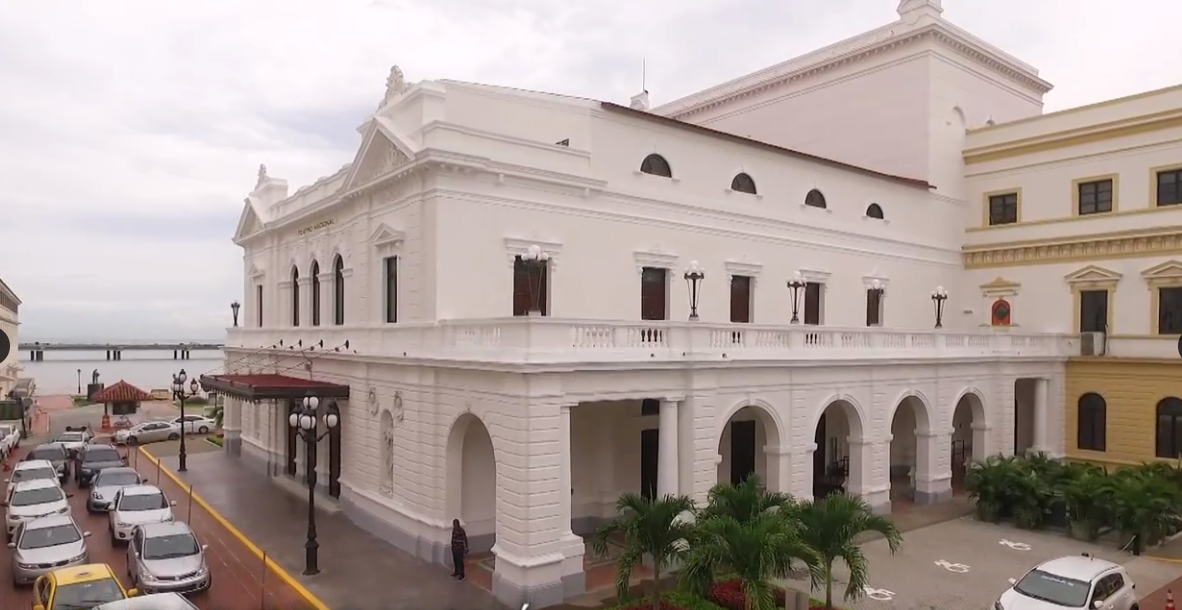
[(830, 528)]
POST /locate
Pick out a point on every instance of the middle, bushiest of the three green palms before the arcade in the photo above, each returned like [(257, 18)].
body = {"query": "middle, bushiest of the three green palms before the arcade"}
[(755, 550)]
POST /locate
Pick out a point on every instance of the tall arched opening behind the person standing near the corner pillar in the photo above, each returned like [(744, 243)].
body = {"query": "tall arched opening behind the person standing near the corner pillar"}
[(472, 482)]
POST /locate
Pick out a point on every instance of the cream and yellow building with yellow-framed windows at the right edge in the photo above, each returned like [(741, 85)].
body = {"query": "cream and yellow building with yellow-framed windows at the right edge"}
[(1081, 231)]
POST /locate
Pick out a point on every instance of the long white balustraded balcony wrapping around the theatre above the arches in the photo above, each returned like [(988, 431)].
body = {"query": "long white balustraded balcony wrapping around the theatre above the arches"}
[(570, 341)]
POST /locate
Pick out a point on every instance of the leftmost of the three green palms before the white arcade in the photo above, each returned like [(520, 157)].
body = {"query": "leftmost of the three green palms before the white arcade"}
[(651, 527)]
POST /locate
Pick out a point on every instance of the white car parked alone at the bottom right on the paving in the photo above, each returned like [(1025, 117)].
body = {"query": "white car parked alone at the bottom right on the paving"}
[(1080, 581)]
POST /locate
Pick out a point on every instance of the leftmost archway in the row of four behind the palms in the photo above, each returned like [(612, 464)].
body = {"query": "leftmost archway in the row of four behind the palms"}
[(743, 447)]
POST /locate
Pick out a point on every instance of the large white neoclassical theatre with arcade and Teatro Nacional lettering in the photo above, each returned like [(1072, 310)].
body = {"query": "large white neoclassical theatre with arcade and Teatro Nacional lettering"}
[(524, 304)]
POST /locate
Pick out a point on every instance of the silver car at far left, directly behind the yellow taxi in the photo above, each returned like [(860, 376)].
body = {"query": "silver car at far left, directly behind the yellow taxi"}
[(47, 544)]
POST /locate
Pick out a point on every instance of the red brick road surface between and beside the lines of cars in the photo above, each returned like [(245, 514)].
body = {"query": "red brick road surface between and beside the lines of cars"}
[(241, 580)]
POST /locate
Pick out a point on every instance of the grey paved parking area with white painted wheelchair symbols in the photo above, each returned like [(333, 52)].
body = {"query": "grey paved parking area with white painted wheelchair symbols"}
[(965, 564)]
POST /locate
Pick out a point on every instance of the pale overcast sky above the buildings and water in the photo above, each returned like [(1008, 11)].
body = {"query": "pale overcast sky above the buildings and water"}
[(132, 131)]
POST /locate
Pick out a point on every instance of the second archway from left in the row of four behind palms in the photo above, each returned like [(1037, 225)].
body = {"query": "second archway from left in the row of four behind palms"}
[(837, 464)]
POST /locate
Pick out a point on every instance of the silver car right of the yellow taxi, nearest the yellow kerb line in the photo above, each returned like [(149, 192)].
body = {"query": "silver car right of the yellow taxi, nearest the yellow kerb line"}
[(167, 557)]
